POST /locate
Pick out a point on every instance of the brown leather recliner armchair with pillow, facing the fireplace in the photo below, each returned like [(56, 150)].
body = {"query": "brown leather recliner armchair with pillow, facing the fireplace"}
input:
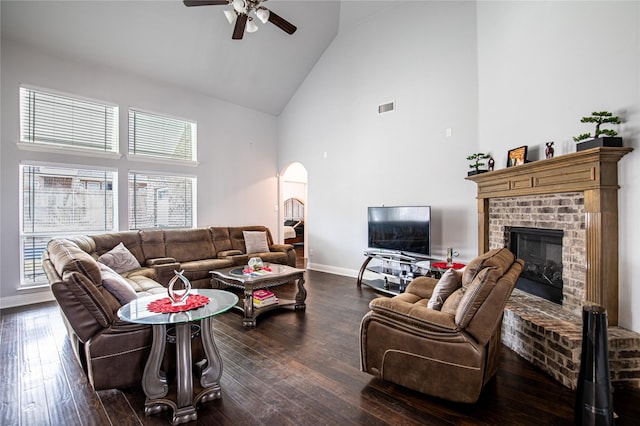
[(450, 352)]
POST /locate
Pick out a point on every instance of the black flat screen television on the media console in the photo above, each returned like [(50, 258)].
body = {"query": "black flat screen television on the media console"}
[(403, 229)]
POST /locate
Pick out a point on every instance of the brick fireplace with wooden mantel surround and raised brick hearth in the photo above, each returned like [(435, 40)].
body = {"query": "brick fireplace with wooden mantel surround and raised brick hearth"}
[(575, 194)]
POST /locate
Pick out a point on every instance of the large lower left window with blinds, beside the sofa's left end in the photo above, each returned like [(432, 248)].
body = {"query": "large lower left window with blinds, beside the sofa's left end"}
[(61, 201)]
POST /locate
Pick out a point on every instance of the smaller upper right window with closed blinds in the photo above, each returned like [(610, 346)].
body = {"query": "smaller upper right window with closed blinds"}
[(158, 136)]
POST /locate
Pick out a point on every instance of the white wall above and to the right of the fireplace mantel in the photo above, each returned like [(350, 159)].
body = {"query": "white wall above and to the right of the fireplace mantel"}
[(543, 66)]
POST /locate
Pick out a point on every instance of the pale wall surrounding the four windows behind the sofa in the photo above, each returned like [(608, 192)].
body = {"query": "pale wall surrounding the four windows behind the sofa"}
[(237, 182)]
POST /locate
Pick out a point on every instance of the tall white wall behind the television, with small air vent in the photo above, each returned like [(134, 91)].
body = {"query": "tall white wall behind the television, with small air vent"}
[(422, 55)]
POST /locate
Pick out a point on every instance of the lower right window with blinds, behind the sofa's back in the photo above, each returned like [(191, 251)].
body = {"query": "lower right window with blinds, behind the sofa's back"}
[(161, 201)]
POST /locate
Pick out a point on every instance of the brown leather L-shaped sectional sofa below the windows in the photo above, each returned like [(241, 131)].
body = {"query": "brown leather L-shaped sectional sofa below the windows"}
[(112, 352)]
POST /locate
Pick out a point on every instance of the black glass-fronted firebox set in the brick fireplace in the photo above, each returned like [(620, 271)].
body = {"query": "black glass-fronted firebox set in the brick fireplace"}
[(541, 249)]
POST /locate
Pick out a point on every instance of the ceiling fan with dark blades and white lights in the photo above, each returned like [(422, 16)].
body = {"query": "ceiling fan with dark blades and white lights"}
[(242, 14)]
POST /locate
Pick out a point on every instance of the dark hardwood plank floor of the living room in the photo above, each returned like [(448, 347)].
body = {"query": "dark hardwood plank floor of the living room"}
[(294, 368)]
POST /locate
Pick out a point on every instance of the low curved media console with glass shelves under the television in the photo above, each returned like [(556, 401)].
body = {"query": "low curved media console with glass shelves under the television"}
[(395, 266)]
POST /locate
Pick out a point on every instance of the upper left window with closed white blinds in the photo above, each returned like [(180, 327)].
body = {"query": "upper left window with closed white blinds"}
[(61, 121)]
